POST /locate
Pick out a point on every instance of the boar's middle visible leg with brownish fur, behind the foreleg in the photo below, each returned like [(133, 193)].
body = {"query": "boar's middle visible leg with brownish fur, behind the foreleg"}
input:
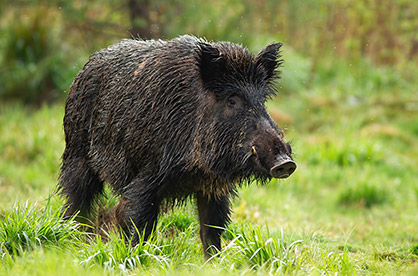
[(139, 205)]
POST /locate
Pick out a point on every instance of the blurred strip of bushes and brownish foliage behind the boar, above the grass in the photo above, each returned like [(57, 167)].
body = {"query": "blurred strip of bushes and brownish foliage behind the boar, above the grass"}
[(45, 42)]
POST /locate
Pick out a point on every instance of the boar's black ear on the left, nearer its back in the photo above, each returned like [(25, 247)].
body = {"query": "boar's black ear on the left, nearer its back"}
[(211, 62)]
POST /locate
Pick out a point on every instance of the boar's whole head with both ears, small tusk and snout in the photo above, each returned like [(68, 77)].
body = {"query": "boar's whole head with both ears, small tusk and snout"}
[(238, 139)]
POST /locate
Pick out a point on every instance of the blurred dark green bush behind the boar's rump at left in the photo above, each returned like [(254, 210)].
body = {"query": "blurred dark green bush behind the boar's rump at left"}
[(35, 64)]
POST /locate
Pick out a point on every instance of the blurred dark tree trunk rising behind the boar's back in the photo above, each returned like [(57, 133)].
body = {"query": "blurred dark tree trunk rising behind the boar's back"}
[(140, 12)]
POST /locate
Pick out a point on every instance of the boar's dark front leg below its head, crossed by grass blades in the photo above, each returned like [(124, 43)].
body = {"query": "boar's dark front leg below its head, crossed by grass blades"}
[(213, 217)]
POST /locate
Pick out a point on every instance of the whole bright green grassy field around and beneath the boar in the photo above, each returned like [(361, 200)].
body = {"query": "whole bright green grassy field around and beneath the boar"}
[(351, 208)]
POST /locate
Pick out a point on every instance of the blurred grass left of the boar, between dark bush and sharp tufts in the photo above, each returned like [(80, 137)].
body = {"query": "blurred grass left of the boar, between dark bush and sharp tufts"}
[(31, 144)]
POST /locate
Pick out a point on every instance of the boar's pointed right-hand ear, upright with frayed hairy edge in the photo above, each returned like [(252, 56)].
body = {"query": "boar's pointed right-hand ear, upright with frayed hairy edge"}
[(268, 61)]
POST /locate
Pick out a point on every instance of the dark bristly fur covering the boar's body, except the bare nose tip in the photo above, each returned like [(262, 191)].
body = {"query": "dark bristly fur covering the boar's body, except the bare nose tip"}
[(164, 120)]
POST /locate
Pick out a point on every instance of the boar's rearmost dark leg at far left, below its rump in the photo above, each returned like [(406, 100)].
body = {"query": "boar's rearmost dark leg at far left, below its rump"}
[(80, 185)]
